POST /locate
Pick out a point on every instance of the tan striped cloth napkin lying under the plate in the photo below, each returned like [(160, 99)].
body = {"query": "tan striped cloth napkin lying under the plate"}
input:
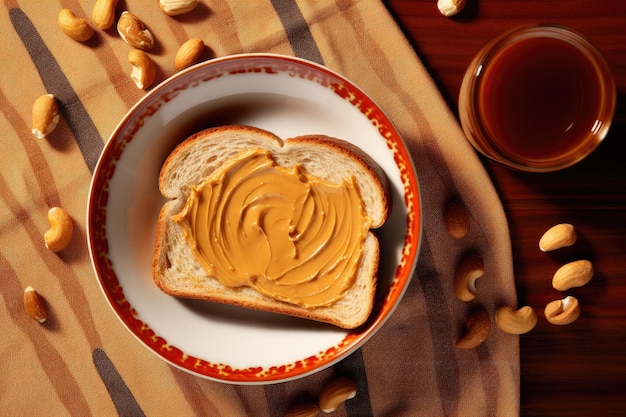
[(82, 361)]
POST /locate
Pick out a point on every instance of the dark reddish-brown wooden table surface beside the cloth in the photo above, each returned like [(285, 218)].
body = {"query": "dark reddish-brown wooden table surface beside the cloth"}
[(579, 369)]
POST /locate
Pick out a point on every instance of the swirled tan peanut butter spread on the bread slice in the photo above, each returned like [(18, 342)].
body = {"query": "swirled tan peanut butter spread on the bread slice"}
[(287, 234)]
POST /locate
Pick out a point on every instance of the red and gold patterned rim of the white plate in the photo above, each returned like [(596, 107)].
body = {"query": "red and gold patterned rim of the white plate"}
[(98, 209)]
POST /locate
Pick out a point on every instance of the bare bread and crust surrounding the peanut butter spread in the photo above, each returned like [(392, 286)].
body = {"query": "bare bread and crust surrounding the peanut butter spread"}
[(174, 268)]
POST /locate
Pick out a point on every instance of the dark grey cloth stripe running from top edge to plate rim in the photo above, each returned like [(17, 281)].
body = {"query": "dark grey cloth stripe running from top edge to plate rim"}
[(297, 30)]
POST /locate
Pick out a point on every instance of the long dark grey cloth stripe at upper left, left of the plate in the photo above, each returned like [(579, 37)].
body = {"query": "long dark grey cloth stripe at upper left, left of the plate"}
[(87, 136)]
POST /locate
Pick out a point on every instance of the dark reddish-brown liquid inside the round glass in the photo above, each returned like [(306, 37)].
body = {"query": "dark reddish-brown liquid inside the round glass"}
[(538, 99)]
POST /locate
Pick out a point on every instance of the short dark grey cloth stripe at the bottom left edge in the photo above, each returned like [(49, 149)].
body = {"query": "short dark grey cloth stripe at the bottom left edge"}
[(123, 399)]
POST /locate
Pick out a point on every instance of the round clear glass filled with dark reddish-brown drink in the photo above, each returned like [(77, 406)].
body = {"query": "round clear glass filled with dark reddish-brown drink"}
[(538, 98)]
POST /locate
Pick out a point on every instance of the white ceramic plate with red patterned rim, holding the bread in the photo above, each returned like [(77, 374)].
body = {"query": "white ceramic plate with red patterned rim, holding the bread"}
[(289, 97)]
